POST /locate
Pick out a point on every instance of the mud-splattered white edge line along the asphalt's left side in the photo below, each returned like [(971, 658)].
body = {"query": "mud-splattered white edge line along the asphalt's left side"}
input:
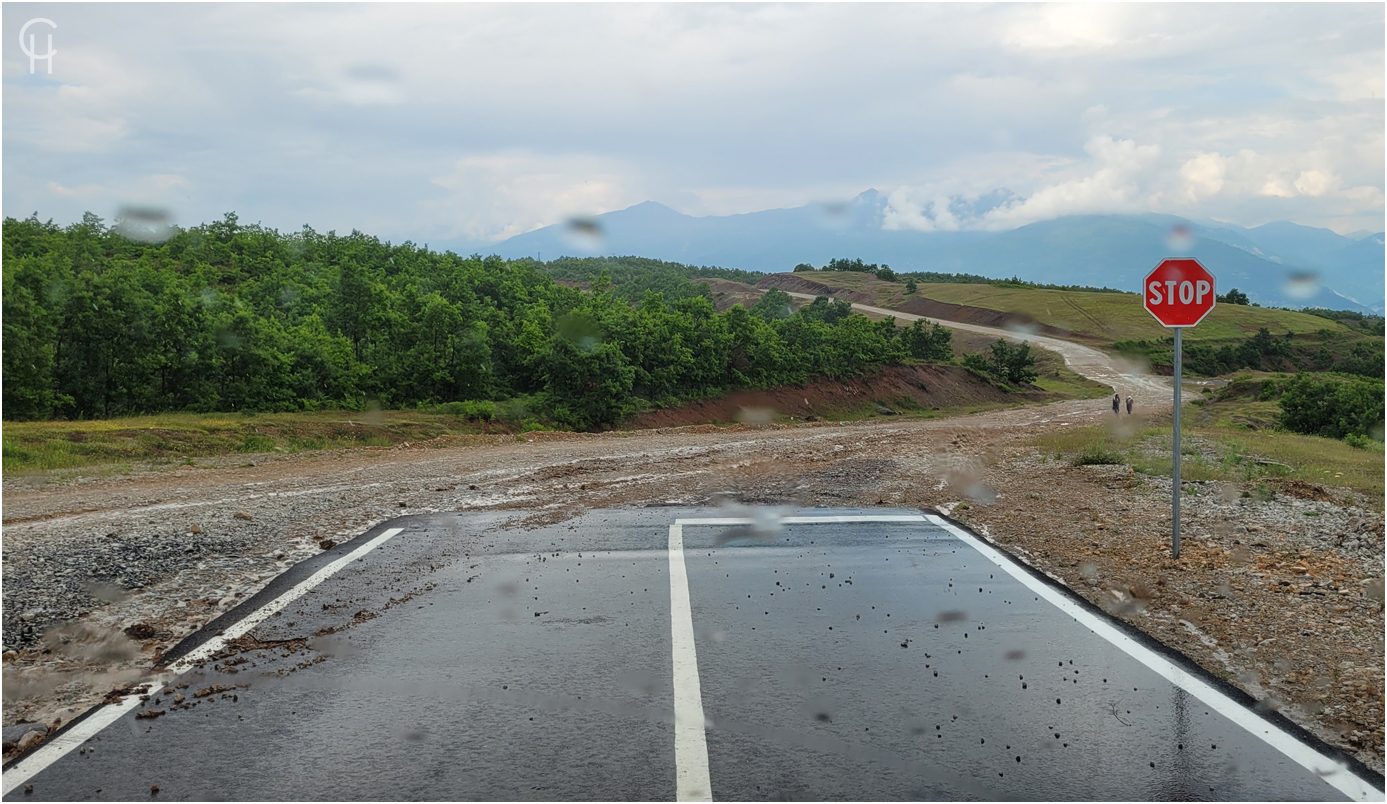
[(49, 753)]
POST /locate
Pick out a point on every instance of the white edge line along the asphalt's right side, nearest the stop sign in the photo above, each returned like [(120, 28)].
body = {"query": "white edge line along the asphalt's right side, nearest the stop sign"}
[(1331, 771)]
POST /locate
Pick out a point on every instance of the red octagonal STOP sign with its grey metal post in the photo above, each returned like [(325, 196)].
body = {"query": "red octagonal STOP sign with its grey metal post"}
[(1180, 293)]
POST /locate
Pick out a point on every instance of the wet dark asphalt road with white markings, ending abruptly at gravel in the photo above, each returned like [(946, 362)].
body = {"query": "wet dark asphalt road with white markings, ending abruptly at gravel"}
[(651, 655)]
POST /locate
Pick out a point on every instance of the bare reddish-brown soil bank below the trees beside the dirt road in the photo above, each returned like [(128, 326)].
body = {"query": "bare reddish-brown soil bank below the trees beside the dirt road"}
[(897, 387)]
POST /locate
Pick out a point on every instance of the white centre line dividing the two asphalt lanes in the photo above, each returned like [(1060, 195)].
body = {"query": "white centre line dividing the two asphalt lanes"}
[(691, 780)]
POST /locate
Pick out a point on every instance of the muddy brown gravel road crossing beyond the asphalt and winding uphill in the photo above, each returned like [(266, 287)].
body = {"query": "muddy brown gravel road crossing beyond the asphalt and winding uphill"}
[(1285, 606)]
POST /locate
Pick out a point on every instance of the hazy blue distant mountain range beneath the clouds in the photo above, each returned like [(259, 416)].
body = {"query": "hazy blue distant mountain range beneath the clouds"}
[(1278, 264)]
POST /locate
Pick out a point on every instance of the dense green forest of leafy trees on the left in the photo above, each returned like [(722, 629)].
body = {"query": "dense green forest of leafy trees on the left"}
[(228, 317)]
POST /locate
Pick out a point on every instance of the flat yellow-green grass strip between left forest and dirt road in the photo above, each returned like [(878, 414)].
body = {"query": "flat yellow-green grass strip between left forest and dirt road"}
[(33, 447)]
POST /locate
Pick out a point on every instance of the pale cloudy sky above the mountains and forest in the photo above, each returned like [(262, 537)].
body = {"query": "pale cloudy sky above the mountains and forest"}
[(478, 123)]
